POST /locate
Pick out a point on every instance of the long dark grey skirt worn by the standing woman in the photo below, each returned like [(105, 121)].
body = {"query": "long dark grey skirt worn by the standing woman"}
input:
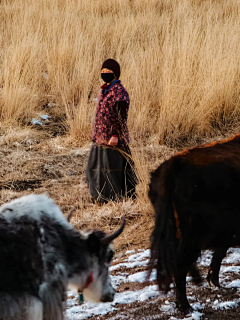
[(110, 174)]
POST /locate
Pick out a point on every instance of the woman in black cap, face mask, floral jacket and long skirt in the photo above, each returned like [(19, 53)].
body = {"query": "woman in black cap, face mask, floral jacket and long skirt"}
[(110, 169)]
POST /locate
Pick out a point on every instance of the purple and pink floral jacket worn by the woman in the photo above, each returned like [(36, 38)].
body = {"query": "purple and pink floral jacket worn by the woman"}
[(111, 115)]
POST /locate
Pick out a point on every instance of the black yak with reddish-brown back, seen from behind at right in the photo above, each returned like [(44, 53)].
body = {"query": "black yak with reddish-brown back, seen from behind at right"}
[(195, 195)]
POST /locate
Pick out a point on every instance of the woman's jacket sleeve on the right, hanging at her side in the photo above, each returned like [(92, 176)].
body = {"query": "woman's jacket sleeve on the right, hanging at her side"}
[(119, 123)]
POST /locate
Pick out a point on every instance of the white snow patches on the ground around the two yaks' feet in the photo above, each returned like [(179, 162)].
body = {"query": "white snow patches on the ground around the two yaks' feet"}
[(140, 259)]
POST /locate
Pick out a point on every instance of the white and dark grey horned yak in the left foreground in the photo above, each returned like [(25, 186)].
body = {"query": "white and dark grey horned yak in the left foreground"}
[(42, 254)]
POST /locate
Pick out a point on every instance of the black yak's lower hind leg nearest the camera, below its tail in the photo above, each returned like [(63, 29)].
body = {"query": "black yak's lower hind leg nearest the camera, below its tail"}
[(181, 296)]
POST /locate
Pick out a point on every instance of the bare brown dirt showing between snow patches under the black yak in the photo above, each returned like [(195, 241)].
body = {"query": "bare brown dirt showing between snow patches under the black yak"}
[(154, 308)]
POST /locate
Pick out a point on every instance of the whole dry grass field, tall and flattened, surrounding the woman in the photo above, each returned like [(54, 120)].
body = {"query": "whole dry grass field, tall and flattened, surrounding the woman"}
[(180, 63)]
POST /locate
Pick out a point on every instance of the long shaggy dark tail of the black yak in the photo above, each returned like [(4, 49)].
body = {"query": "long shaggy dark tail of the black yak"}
[(163, 238)]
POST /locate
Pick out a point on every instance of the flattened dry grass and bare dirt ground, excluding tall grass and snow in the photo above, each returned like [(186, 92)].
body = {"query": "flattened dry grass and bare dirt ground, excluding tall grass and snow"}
[(41, 161)]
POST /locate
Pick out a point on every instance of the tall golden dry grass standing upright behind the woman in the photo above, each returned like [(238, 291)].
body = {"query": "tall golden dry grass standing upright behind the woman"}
[(180, 62)]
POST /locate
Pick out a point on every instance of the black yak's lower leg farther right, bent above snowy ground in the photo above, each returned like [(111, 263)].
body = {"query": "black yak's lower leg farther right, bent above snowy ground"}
[(213, 273)]
